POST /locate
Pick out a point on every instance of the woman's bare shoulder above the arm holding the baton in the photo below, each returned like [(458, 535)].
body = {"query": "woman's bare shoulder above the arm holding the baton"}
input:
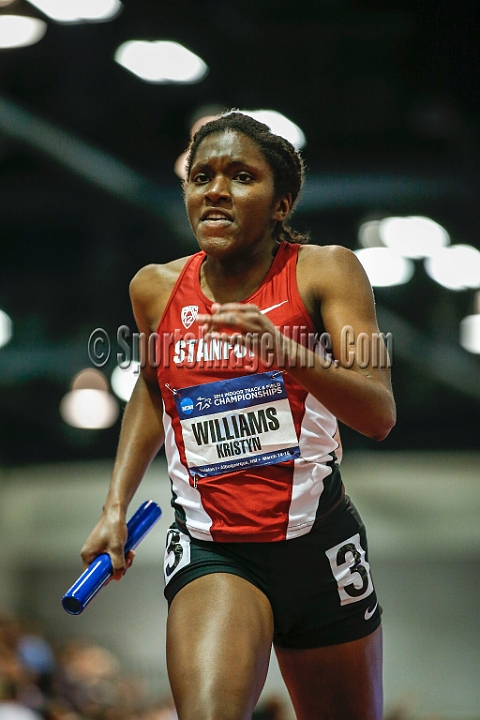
[(151, 287)]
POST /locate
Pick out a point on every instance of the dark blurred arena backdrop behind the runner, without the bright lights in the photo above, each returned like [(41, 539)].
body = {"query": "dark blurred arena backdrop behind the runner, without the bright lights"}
[(387, 94)]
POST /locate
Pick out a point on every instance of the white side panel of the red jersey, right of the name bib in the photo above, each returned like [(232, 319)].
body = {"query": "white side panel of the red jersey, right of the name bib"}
[(310, 470)]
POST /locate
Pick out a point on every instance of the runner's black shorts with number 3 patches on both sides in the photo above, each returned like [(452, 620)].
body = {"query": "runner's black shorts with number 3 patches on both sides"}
[(319, 585)]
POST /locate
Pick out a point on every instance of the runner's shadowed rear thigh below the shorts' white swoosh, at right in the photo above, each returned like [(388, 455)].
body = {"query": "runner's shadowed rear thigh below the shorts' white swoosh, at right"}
[(335, 682)]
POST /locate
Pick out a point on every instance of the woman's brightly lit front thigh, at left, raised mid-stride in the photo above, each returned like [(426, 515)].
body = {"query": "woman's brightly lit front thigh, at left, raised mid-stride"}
[(219, 638)]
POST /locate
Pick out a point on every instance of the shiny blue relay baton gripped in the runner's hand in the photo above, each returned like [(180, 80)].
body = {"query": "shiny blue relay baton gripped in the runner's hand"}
[(100, 570)]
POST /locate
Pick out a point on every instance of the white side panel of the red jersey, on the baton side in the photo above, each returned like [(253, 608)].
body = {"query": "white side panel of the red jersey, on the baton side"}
[(188, 496)]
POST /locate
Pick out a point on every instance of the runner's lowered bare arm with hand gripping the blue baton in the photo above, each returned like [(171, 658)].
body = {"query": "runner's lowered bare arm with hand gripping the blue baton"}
[(141, 436)]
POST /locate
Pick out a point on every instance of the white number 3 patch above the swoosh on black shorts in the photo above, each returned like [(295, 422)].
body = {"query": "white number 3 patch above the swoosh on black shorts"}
[(351, 570)]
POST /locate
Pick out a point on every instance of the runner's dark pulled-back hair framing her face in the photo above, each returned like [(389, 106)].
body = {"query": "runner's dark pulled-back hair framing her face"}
[(285, 162)]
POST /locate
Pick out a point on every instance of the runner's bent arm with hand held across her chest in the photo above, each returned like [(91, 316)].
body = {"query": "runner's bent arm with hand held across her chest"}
[(360, 397)]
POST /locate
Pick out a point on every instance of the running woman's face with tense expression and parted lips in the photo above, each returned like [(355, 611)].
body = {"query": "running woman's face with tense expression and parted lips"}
[(230, 195)]
